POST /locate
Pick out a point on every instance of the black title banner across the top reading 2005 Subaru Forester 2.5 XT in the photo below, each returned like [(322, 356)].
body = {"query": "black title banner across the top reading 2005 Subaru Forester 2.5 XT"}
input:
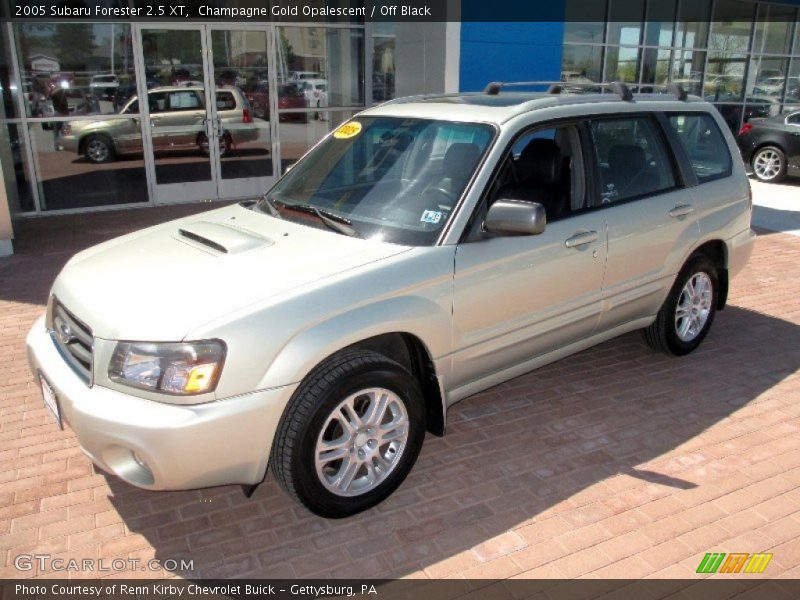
[(361, 11)]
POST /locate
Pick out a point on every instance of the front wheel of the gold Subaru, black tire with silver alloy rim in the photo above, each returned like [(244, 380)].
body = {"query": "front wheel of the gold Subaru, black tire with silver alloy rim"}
[(350, 434)]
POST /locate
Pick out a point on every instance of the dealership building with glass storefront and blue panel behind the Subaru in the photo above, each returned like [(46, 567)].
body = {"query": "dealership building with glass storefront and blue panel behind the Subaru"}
[(231, 104)]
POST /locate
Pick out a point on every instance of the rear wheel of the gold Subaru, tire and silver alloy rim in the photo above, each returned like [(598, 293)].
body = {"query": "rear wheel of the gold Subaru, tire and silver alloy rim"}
[(688, 312)]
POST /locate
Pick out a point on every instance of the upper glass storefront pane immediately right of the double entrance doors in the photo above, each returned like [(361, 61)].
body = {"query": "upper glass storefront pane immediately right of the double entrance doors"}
[(327, 57)]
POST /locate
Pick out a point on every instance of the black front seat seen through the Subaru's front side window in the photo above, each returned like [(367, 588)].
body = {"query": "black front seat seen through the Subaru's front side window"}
[(539, 178)]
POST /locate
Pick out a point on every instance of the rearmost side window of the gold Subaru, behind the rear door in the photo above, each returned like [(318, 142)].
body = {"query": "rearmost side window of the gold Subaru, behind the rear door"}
[(704, 144)]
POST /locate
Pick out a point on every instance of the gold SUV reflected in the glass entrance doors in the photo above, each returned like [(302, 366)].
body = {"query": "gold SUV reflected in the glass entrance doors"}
[(176, 113)]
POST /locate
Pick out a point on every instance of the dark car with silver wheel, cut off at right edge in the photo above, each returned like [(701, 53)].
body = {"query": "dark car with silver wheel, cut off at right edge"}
[(771, 146)]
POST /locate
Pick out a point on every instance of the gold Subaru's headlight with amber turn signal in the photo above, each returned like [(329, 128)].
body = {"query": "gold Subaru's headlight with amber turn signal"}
[(172, 368)]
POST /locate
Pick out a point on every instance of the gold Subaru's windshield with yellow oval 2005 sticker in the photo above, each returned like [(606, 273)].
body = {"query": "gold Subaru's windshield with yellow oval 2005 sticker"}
[(395, 179)]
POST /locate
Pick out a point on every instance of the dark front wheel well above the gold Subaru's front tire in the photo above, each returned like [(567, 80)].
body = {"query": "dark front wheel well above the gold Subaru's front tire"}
[(410, 351)]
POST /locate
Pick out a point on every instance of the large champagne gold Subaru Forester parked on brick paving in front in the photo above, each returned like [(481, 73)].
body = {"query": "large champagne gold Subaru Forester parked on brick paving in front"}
[(422, 252)]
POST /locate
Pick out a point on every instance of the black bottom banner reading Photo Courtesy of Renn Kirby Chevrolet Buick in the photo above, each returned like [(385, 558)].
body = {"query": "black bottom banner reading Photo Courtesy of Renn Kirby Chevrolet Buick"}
[(283, 589)]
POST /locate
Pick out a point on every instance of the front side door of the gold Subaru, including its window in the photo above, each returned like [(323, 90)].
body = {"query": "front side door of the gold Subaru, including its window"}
[(518, 298)]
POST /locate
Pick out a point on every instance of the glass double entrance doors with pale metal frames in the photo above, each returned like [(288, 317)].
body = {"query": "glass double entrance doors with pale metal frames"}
[(203, 138)]
